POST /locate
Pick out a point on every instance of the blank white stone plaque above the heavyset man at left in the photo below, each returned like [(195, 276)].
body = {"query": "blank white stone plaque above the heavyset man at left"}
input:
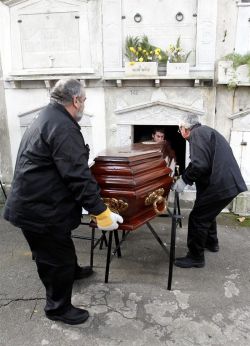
[(47, 41)]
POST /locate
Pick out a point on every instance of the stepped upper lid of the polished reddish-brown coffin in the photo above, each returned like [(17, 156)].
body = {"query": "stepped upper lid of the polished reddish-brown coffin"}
[(130, 167)]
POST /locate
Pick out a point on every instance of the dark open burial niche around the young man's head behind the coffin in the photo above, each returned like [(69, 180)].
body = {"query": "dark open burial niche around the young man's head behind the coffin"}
[(143, 133)]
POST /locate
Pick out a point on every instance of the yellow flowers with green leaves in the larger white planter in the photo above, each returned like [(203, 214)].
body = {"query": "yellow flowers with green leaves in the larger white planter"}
[(140, 50)]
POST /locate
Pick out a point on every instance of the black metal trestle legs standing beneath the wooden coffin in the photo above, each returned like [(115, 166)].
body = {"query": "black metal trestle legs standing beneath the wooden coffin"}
[(176, 221)]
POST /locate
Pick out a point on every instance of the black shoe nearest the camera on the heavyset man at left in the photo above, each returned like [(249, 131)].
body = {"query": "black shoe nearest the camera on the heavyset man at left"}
[(71, 316)]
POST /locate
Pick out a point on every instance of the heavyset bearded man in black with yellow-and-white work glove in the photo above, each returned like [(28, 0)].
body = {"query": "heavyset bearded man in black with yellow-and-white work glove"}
[(51, 184)]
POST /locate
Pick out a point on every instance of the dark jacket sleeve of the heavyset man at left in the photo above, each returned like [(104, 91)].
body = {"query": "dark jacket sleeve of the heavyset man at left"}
[(70, 156)]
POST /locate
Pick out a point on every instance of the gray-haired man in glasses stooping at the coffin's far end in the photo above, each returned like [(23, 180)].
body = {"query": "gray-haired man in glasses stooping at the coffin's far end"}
[(218, 180)]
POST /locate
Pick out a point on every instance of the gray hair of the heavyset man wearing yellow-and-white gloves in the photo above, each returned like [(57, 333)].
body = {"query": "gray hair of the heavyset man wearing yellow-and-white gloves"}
[(65, 89)]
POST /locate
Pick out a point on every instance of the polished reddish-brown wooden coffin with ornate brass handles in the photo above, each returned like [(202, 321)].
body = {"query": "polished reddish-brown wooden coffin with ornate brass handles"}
[(134, 181)]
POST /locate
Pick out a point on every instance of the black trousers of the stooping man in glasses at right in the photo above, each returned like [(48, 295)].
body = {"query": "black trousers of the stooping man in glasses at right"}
[(202, 227)]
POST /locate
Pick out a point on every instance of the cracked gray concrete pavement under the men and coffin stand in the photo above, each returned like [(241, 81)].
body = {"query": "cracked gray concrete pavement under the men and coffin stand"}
[(208, 306)]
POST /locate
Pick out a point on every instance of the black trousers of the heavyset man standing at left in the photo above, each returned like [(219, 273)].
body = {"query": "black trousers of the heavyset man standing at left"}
[(56, 261)]
